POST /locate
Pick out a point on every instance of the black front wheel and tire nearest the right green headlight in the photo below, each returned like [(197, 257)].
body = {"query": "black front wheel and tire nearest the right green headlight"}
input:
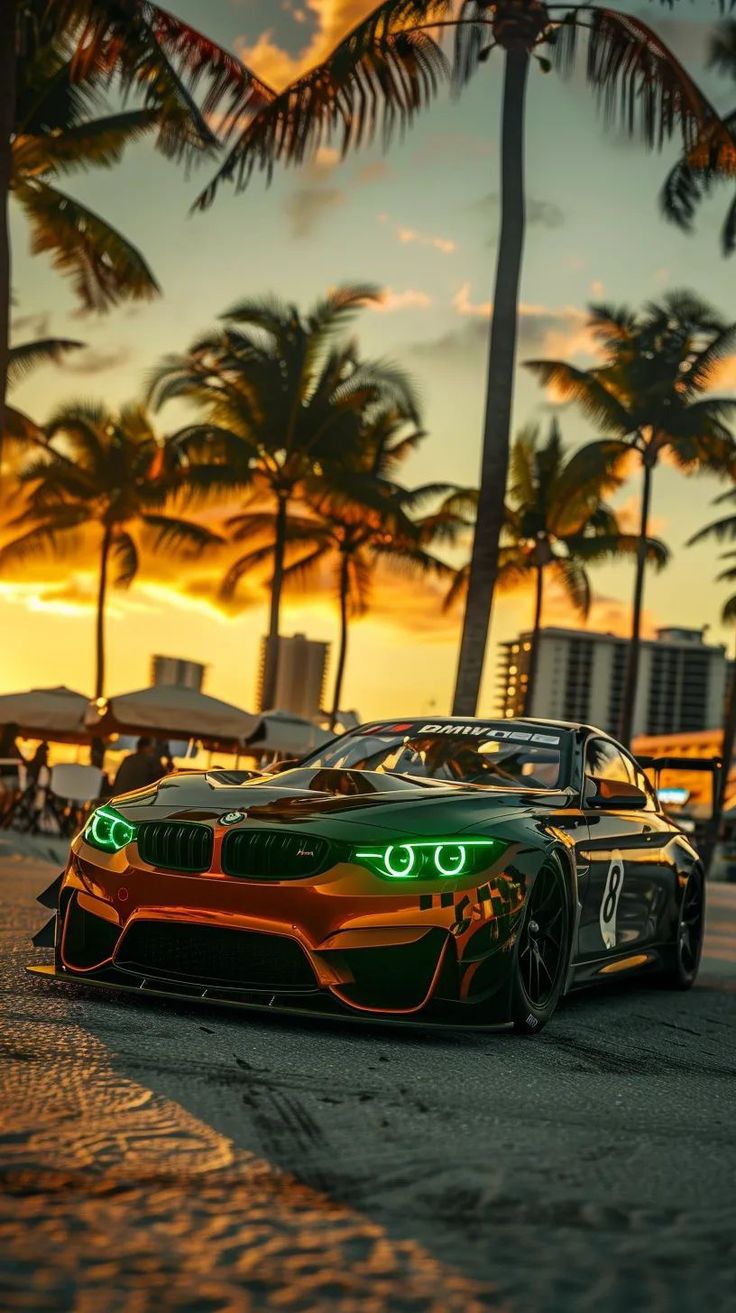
[(542, 951)]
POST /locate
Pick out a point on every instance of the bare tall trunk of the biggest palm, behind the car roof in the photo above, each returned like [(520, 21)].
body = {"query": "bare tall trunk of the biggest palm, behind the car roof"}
[(499, 397)]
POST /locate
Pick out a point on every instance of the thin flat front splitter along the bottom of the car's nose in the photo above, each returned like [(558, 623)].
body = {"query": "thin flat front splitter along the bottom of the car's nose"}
[(330, 1012)]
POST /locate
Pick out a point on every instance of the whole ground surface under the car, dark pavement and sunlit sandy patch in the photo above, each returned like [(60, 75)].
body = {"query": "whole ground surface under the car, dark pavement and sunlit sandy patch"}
[(176, 1159)]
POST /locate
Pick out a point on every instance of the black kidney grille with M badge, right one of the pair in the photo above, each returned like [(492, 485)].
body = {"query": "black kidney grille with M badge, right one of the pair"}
[(275, 855)]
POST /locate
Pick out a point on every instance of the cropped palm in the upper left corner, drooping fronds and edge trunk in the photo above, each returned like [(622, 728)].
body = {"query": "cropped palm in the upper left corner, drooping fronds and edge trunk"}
[(57, 61)]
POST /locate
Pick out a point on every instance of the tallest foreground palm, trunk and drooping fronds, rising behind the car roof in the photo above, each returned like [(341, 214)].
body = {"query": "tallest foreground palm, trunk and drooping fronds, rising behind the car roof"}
[(385, 72)]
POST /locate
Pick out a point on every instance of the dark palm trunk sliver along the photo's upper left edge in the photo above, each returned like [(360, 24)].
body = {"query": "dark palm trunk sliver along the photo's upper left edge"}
[(9, 56)]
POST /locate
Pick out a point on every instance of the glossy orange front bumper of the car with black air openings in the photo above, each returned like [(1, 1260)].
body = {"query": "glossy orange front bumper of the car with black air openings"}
[(333, 946)]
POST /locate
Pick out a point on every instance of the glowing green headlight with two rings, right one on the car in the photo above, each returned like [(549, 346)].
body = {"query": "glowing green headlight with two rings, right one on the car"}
[(430, 859)]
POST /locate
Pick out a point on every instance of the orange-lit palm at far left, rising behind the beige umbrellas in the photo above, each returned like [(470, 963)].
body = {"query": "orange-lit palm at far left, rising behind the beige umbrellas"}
[(110, 472)]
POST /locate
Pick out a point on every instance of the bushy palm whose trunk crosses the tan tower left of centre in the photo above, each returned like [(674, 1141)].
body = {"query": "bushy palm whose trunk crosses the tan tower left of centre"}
[(281, 402)]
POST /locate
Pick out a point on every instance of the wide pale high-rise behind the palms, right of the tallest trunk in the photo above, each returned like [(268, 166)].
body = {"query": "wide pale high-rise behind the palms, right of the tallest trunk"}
[(581, 677)]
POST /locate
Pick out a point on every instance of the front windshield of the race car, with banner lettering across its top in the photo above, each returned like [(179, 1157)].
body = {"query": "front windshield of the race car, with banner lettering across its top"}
[(481, 754)]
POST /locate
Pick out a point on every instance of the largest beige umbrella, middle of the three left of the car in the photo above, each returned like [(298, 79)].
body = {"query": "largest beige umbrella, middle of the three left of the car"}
[(173, 712)]
